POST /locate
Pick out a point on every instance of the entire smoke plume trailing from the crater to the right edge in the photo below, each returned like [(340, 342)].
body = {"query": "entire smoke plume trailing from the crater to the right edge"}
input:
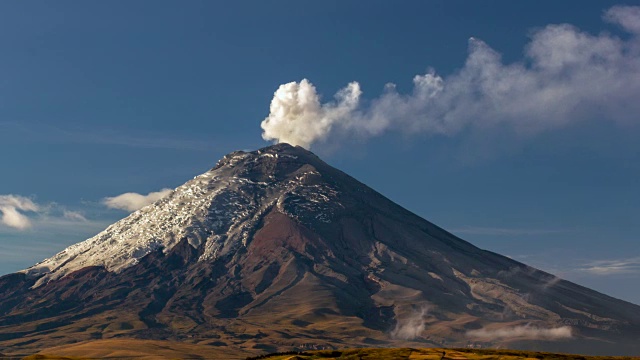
[(566, 76)]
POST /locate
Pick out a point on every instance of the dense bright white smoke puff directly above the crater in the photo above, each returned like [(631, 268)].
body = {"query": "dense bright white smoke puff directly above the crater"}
[(297, 117)]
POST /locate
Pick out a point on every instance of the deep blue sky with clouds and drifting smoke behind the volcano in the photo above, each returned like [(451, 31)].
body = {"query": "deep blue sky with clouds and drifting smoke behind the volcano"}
[(522, 141)]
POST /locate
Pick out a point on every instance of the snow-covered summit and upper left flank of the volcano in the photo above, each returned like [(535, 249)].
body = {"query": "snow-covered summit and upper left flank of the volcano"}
[(215, 210)]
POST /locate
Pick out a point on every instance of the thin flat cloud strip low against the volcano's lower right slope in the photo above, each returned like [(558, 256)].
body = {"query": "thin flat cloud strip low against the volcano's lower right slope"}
[(526, 331)]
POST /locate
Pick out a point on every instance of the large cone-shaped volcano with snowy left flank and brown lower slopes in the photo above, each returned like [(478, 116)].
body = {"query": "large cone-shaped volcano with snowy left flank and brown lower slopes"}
[(275, 250)]
